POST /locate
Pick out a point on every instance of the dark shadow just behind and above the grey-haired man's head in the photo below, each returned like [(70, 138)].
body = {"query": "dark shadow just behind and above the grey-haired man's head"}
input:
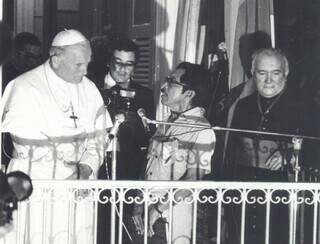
[(248, 44)]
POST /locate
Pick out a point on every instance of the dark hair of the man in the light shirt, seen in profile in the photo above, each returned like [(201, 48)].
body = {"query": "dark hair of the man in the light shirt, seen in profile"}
[(198, 79)]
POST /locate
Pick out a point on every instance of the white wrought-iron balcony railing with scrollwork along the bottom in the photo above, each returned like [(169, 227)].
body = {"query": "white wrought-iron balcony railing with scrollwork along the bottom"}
[(297, 196)]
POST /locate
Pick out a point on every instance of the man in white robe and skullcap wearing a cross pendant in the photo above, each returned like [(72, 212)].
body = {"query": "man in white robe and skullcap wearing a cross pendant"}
[(56, 118)]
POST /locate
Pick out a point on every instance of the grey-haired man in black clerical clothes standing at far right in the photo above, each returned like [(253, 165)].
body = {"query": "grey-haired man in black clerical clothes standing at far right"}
[(256, 157)]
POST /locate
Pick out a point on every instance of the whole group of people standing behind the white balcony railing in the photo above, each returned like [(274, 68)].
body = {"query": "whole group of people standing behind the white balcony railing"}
[(58, 120)]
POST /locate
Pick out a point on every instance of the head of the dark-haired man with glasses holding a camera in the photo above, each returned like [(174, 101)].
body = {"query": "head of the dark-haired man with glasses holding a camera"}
[(123, 60)]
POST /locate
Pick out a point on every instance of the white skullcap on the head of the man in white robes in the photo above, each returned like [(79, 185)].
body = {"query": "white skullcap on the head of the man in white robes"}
[(68, 37)]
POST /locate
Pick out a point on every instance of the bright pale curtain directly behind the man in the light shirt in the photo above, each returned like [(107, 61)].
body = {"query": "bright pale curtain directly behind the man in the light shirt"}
[(179, 37)]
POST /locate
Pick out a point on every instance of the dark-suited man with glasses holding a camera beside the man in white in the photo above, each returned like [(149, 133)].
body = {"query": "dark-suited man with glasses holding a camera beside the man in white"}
[(124, 95)]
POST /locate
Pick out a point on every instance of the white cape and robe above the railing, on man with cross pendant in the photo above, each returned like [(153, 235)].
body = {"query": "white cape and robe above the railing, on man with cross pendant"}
[(36, 111)]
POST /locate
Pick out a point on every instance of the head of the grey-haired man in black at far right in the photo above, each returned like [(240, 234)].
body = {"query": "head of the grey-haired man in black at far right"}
[(269, 69)]
